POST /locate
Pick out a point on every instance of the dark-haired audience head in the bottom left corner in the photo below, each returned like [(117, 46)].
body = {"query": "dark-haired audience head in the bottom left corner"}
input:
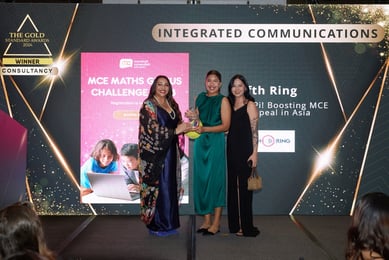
[(21, 233)]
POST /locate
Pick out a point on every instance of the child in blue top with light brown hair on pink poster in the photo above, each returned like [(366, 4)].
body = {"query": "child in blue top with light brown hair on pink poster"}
[(103, 159)]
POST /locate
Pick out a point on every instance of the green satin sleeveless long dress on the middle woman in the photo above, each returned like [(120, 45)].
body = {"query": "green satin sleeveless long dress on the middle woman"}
[(209, 181)]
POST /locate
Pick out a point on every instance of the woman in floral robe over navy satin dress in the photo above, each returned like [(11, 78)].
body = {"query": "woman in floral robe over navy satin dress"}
[(160, 123)]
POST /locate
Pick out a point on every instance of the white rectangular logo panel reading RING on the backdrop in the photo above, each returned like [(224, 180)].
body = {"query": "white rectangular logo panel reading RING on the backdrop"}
[(276, 141)]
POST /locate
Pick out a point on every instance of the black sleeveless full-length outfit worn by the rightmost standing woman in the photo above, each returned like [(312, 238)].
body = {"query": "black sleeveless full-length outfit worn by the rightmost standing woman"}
[(239, 198)]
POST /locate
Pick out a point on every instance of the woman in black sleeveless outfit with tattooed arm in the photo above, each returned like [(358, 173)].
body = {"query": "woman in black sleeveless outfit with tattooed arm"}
[(242, 144)]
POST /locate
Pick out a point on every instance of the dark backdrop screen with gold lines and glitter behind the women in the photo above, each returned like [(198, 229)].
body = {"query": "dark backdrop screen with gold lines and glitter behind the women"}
[(51, 112)]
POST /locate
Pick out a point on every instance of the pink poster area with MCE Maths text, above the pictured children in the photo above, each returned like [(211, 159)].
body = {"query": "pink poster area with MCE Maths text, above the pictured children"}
[(113, 87)]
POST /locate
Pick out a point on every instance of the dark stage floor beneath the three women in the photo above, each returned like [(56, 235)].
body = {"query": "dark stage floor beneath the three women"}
[(125, 237)]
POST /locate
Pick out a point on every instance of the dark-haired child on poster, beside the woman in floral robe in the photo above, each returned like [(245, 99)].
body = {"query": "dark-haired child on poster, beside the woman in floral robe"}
[(129, 168)]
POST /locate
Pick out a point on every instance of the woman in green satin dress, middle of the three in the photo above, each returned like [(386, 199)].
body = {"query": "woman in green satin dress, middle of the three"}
[(209, 184)]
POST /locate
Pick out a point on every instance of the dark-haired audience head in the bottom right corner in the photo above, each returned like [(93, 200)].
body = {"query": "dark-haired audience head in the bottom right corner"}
[(368, 235)]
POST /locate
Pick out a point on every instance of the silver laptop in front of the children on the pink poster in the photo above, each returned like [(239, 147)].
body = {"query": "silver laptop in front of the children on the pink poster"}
[(111, 186)]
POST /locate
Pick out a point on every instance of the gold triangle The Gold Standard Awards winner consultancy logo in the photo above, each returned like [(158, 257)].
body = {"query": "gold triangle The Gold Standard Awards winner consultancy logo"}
[(27, 52)]
